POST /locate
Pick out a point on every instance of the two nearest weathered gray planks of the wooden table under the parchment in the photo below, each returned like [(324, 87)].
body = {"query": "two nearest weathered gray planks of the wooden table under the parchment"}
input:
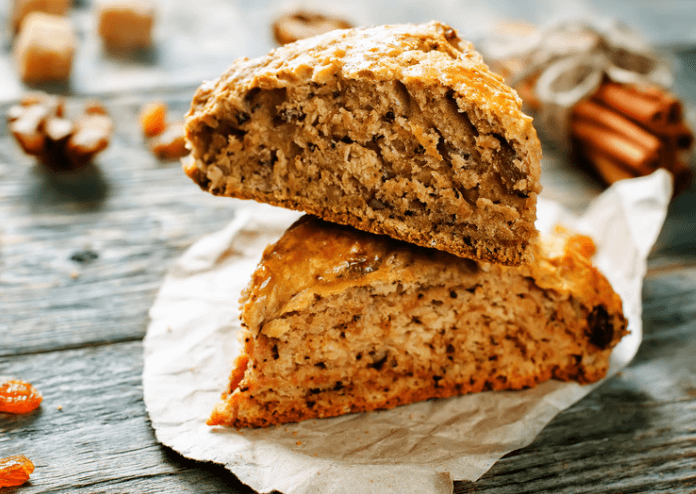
[(81, 260)]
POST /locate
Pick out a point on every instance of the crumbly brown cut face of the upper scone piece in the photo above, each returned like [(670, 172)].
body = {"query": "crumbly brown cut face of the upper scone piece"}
[(409, 160)]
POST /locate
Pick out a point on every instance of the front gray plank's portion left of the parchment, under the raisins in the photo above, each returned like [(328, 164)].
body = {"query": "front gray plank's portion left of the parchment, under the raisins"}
[(100, 440)]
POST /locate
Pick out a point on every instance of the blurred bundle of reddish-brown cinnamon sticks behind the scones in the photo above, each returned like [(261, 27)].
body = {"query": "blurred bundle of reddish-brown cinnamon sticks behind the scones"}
[(627, 131)]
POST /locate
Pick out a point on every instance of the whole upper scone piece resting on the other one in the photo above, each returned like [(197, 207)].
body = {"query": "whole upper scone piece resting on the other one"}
[(399, 130)]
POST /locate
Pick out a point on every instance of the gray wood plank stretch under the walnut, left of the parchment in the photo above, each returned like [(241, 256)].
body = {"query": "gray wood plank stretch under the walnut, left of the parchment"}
[(135, 213)]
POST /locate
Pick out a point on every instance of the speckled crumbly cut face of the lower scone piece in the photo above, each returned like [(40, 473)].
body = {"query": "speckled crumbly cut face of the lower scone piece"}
[(384, 345)]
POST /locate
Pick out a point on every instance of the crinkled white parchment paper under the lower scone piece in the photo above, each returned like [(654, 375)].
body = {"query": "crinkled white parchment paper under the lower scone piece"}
[(419, 448)]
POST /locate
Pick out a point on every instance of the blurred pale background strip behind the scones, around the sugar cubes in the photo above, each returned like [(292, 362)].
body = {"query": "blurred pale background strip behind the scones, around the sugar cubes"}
[(198, 40)]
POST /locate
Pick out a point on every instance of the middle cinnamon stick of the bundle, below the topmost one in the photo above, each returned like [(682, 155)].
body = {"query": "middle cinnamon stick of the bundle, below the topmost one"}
[(618, 148)]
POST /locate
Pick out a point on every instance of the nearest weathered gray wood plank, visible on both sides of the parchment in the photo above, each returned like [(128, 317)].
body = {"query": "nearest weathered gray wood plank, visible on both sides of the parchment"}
[(636, 433)]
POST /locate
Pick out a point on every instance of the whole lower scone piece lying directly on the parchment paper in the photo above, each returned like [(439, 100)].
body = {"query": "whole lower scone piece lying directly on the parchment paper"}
[(337, 320)]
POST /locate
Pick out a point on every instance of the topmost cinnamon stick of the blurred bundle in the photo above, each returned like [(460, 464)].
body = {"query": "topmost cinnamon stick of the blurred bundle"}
[(648, 109)]
